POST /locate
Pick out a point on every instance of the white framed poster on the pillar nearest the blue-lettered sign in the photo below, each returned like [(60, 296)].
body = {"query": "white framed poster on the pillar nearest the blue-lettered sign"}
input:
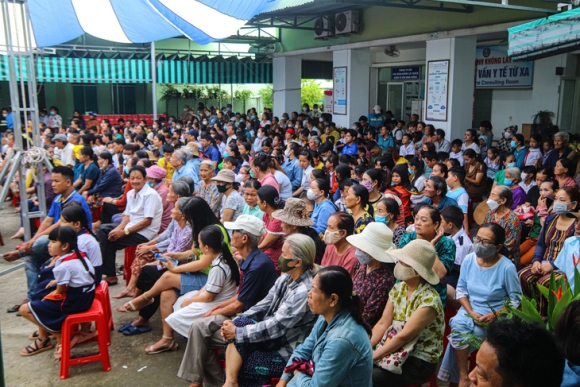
[(437, 90)]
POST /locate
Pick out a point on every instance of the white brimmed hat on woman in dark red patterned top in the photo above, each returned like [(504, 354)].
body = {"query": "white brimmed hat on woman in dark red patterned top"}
[(374, 240)]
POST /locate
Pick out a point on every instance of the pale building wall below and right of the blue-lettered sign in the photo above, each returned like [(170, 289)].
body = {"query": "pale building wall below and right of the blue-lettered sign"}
[(516, 107)]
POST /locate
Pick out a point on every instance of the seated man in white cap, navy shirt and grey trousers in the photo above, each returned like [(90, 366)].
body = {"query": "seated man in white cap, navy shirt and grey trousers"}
[(199, 364)]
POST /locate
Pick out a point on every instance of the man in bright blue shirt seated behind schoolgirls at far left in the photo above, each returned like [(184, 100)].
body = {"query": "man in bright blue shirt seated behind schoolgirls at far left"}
[(35, 250)]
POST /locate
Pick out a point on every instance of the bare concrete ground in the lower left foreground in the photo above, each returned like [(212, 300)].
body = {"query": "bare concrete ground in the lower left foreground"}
[(131, 366)]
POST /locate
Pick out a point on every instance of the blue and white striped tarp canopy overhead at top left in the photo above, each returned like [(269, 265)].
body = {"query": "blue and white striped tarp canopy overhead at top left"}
[(142, 21)]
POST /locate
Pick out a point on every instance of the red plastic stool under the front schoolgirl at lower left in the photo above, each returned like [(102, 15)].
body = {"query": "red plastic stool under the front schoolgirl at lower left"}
[(96, 314)]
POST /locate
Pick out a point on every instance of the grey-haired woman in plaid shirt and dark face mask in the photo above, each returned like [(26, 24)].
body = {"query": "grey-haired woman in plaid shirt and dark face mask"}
[(265, 335)]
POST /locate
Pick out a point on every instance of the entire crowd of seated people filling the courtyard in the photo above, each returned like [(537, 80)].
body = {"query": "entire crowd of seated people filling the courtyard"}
[(309, 254)]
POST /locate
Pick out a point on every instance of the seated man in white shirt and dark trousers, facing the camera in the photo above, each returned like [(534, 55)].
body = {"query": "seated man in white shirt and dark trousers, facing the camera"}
[(140, 224)]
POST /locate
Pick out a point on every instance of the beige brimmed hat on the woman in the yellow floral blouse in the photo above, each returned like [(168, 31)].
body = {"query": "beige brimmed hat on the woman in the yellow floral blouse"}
[(420, 255)]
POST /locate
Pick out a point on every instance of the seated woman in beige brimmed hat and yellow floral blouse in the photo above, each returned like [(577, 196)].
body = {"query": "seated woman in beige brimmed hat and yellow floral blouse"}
[(408, 339)]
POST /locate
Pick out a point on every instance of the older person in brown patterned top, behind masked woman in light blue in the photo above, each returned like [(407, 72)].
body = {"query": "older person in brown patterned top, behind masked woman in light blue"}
[(500, 202)]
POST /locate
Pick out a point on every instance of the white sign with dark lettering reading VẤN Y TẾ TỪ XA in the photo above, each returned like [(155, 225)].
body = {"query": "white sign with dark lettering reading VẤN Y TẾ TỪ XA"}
[(495, 70)]
